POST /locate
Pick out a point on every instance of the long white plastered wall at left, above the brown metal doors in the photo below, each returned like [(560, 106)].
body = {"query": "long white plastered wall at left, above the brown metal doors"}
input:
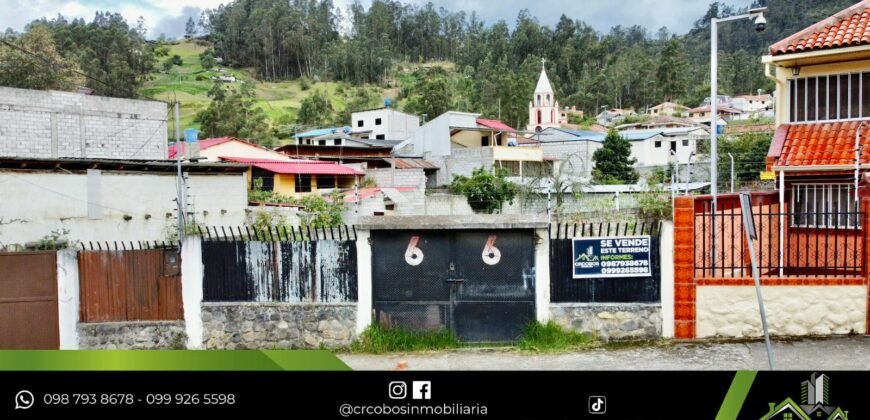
[(44, 202)]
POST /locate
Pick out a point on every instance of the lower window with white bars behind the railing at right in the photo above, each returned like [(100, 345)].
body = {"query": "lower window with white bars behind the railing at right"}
[(824, 206)]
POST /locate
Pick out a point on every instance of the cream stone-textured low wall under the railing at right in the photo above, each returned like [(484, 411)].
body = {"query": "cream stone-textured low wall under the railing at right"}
[(732, 311)]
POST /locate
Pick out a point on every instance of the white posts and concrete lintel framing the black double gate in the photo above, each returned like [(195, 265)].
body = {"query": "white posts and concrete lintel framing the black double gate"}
[(538, 223)]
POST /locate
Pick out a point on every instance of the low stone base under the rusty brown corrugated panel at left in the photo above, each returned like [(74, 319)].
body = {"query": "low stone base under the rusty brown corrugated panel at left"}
[(141, 335)]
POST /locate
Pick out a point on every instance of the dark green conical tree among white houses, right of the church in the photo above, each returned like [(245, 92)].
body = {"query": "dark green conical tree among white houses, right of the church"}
[(613, 161)]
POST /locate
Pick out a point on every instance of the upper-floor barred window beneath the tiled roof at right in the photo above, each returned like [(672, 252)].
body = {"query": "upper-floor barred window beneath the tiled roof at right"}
[(829, 97)]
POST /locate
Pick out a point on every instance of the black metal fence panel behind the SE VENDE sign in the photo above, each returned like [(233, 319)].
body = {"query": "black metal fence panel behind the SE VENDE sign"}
[(565, 288)]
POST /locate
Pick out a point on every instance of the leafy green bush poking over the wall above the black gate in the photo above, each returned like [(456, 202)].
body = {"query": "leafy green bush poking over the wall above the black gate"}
[(485, 191)]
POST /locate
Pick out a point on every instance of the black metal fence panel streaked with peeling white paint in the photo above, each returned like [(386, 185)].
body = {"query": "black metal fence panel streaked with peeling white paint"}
[(279, 265)]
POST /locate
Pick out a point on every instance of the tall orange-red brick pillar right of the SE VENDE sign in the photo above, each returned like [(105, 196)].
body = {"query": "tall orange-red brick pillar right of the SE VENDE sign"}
[(684, 267)]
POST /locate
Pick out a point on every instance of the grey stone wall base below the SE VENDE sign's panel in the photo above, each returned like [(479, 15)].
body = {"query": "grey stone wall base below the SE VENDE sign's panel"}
[(611, 321)]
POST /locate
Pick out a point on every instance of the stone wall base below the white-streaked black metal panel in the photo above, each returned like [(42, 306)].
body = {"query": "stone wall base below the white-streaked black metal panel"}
[(277, 325)]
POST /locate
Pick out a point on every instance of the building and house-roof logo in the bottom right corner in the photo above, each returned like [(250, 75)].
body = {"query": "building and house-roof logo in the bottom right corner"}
[(815, 403)]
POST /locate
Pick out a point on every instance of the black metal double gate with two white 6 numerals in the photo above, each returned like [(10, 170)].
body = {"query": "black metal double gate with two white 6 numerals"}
[(478, 284)]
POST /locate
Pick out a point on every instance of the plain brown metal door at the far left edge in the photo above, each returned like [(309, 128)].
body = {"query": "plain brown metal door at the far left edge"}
[(28, 301)]
